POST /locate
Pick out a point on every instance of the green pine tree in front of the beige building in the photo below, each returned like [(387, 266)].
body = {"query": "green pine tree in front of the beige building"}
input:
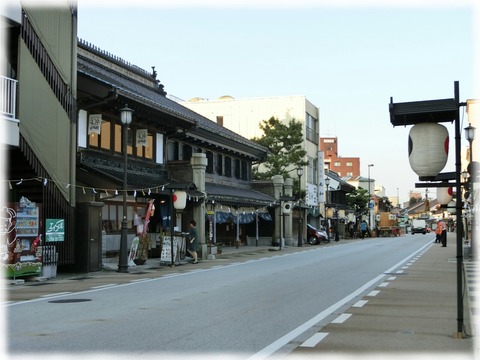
[(284, 142)]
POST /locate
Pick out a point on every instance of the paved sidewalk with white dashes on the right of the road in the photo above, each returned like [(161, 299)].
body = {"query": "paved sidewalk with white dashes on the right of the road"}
[(412, 312)]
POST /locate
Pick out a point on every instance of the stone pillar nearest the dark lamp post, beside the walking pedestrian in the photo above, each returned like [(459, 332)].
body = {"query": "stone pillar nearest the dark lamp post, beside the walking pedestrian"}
[(199, 164)]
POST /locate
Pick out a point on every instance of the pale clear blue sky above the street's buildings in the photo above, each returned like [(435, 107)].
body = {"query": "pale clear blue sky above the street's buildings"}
[(346, 60)]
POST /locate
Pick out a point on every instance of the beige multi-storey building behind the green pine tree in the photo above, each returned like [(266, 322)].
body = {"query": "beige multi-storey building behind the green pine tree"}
[(243, 116)]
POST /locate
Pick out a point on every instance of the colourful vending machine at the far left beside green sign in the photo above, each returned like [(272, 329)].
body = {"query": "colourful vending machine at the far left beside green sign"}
[(21, 239)]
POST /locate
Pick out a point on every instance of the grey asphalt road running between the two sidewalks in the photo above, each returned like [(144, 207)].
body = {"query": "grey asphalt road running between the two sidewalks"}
[(252, 308)]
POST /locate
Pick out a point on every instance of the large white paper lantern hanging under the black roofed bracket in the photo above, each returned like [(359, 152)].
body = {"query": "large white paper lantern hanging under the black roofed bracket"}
[(428, 148)]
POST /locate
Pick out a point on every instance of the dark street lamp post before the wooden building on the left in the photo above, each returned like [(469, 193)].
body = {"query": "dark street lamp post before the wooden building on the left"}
[(126, 119)]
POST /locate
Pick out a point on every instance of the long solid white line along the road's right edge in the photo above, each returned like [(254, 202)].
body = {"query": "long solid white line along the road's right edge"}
[(285, 339)]
